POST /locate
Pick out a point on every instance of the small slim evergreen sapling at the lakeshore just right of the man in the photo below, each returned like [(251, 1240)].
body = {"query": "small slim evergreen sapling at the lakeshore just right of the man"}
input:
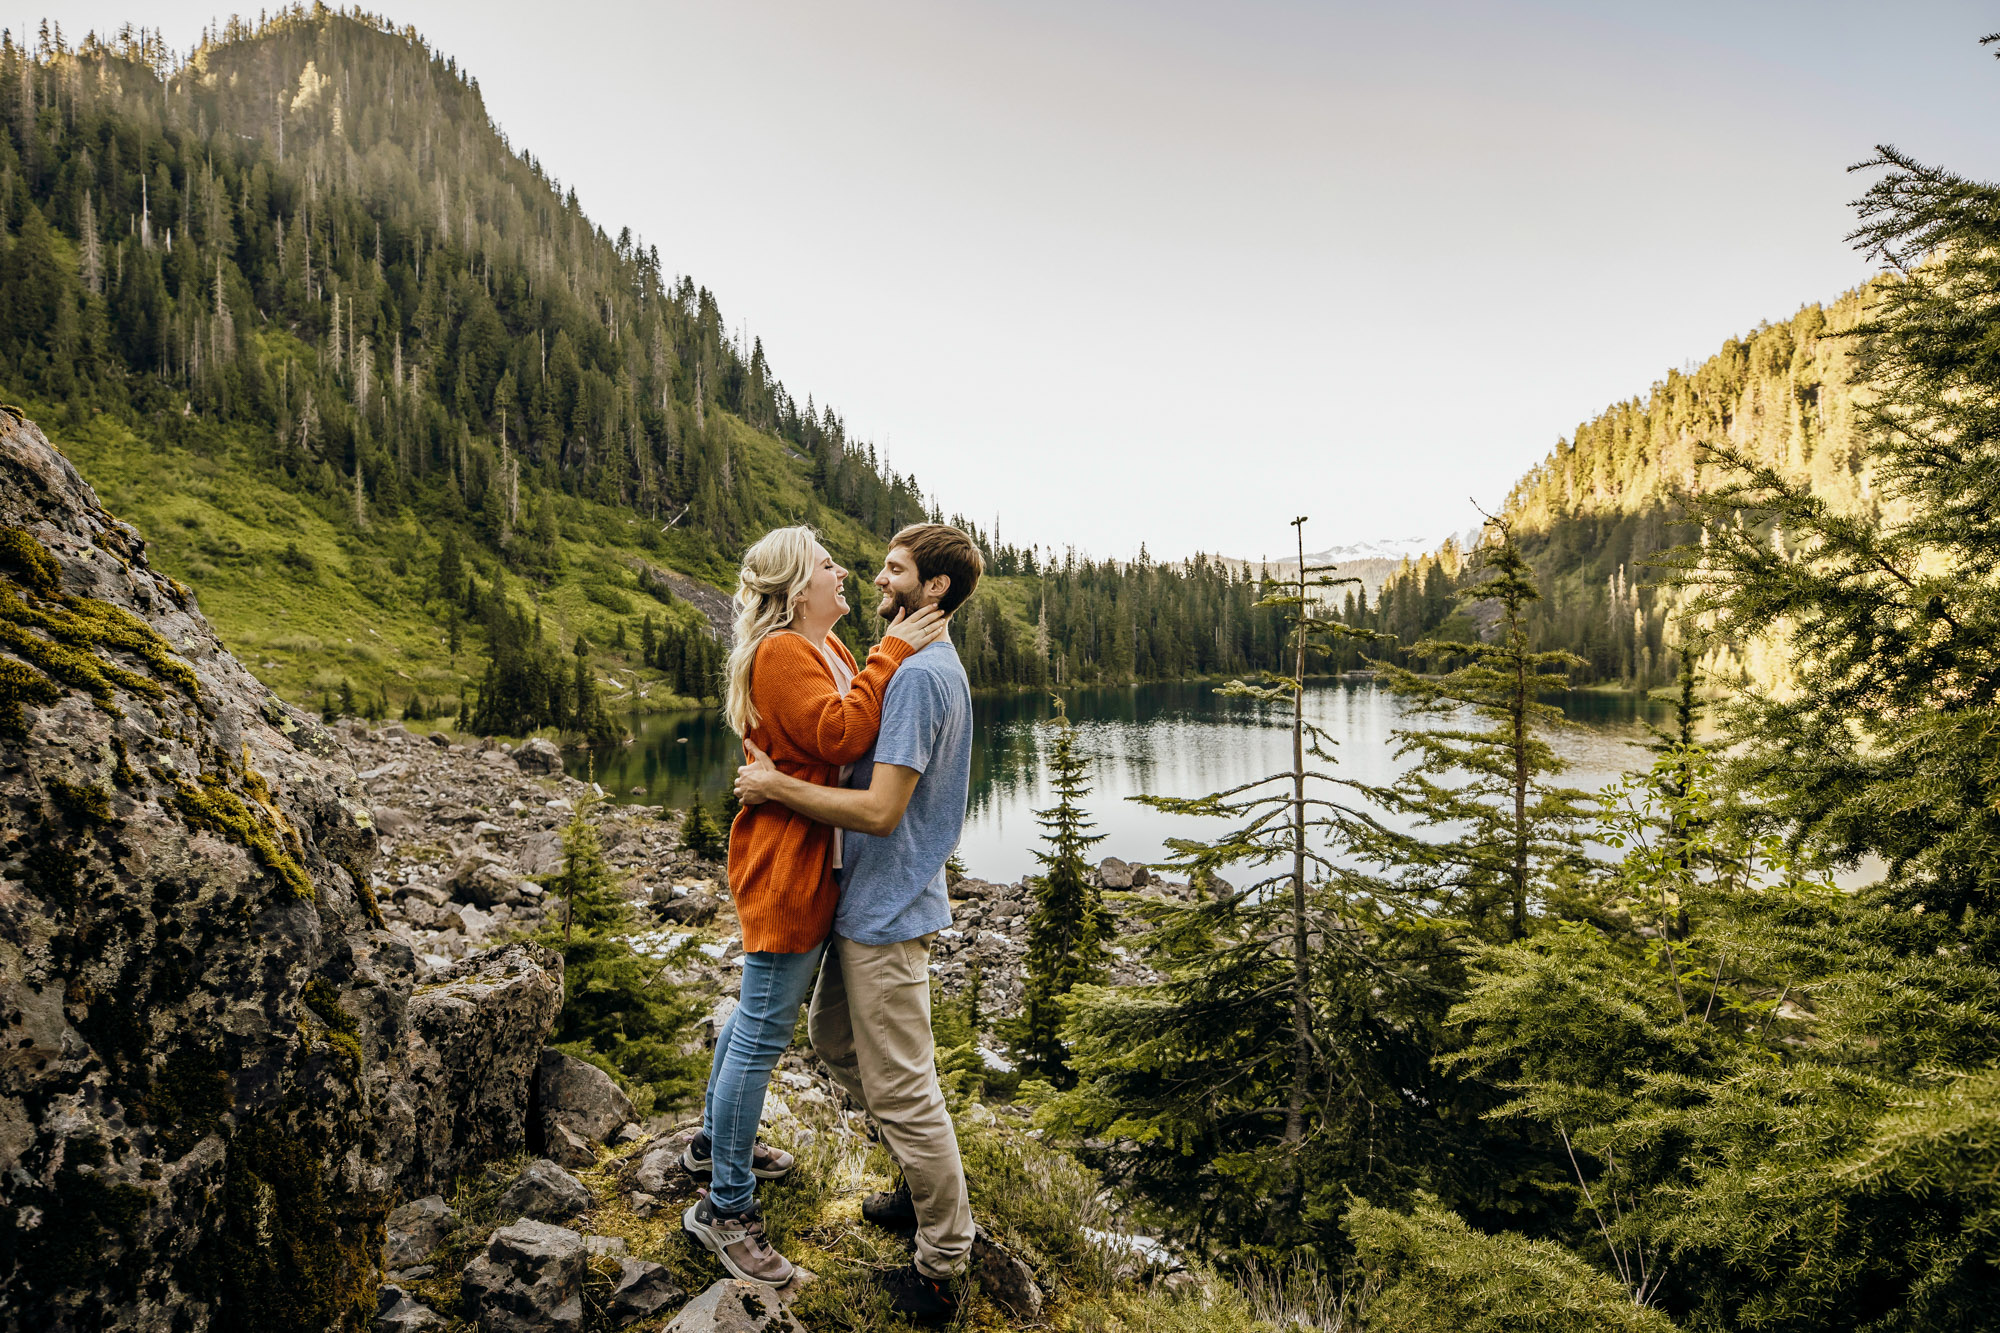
[(1069, 926)]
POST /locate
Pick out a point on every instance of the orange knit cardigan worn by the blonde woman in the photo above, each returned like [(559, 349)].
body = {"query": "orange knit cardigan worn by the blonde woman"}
[(781, 862)]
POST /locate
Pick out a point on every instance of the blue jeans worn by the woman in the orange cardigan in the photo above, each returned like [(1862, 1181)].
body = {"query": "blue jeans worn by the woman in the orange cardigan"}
[(747, 1052)]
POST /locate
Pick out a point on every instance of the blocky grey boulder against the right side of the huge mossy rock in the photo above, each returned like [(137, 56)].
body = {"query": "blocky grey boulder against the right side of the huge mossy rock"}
[(477, 1036)]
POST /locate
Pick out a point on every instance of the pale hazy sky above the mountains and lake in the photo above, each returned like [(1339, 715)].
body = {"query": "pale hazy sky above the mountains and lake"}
[(1177, 273)]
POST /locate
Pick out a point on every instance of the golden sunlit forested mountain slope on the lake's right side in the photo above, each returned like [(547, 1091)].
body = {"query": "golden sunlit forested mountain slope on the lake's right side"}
[(1597, 513)]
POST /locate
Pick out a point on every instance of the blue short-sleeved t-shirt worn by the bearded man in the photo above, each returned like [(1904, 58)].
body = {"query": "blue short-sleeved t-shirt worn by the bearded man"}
[(893, 888)]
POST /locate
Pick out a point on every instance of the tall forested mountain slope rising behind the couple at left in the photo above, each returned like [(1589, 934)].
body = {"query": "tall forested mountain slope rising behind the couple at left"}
[(385, 397)]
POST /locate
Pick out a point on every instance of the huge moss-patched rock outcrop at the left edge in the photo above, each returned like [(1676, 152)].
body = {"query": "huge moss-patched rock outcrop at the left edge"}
[(211, 1074)]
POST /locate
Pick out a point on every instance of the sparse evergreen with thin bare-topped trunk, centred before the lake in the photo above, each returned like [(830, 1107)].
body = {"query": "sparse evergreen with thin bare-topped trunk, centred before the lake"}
[(1253, 1084)]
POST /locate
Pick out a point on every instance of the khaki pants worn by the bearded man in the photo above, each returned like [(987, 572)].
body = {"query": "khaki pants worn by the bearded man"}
[(871, 1024)]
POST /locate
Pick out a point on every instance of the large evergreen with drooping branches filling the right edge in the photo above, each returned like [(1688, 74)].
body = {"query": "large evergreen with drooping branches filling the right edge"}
[(1799, 1106)]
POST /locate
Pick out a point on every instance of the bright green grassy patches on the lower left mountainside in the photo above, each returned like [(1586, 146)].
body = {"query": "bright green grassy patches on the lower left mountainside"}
[(311, 601)]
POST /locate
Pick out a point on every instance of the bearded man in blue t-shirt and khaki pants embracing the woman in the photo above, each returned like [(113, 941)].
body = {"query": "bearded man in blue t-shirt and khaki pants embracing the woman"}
[(903, 808)]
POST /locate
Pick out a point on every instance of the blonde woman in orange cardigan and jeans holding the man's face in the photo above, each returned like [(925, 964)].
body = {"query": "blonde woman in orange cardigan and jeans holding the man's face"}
[(795, 692)]
